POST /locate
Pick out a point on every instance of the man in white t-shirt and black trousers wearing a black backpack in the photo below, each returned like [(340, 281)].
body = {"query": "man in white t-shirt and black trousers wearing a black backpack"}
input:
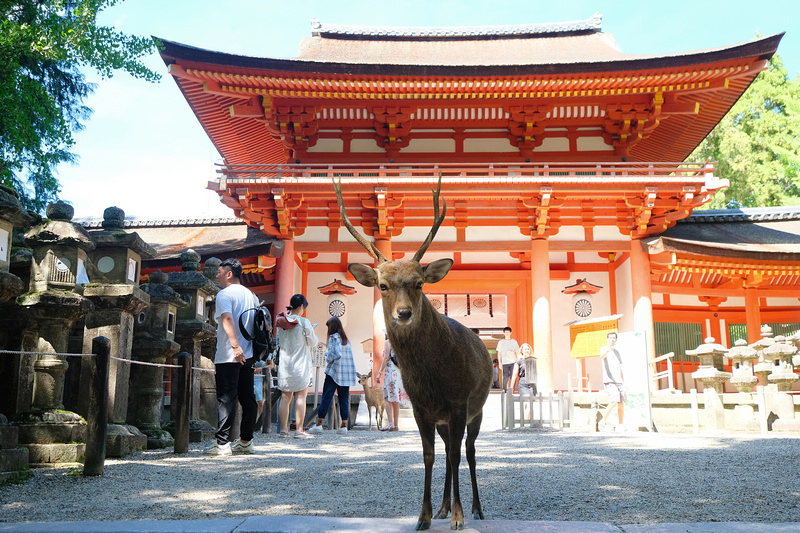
[(233, 361)]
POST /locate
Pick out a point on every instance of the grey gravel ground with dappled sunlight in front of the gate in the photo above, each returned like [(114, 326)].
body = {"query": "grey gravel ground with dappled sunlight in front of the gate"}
[(522, 474)]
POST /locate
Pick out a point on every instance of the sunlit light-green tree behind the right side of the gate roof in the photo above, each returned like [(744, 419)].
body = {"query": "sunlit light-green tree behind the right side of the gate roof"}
[(757, 144)]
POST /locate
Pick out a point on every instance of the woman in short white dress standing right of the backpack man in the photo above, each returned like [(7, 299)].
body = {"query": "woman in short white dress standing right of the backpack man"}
[(297, 340)]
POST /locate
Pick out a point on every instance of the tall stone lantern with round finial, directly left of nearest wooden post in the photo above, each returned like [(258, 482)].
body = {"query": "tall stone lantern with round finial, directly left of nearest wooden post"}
[(46, 312)]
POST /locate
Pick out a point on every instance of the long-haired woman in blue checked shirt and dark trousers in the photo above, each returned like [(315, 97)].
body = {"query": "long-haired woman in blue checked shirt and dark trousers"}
[(340, 375)]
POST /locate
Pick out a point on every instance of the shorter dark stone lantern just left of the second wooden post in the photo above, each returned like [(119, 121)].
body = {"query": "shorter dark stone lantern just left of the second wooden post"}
[(153, 342)]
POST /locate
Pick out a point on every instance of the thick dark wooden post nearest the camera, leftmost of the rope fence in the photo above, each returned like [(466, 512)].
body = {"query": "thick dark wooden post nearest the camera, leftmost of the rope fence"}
[(97, 418)]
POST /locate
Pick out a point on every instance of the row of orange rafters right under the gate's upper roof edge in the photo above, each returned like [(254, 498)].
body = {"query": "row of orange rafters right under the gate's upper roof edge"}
[(278, 84)]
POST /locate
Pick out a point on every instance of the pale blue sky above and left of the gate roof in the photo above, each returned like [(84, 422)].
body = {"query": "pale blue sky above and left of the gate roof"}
[(144, 151)]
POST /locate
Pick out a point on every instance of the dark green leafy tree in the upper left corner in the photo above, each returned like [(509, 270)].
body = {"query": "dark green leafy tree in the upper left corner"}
[(43, 46)]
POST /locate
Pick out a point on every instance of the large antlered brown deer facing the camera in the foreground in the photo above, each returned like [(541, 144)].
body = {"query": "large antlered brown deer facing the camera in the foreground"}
[(446, 368)]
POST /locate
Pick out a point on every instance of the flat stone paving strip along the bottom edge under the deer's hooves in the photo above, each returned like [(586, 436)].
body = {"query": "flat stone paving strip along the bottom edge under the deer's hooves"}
[(317, 524)]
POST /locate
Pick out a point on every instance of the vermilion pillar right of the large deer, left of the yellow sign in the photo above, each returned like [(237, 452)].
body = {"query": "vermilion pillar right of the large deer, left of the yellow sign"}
[(542, 330)]
